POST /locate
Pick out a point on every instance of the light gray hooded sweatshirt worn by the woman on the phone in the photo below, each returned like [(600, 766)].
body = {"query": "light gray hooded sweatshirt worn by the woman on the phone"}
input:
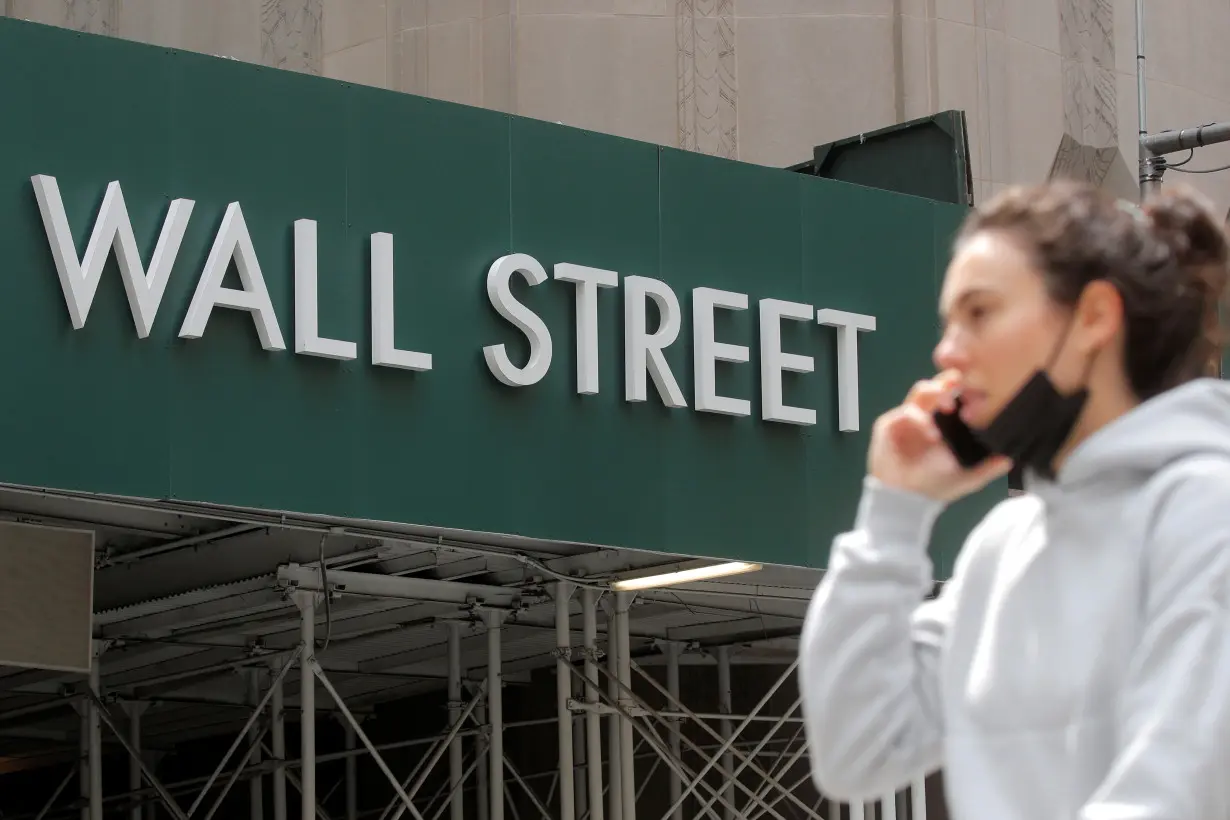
[(1077, 666)]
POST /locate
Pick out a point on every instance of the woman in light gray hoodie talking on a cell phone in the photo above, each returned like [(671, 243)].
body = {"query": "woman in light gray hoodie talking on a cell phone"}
[(1078, 663)]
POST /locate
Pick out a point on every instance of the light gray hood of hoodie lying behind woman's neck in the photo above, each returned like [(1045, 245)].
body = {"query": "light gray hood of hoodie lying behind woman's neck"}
[(1188, 421)]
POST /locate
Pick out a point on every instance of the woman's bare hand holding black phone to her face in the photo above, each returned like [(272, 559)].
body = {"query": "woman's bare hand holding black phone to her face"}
[(908, 453)]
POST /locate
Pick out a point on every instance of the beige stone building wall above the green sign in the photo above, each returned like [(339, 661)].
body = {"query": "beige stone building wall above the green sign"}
[(1049, 85)]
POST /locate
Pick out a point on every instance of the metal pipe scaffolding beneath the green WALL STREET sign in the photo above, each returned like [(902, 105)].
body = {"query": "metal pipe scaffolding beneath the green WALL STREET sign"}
[(376, 621)]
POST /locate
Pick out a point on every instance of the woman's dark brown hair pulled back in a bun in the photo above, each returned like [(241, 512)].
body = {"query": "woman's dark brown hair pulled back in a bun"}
[(1169, 260)]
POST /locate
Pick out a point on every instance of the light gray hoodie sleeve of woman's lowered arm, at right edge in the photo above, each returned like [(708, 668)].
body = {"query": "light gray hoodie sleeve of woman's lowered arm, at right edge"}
[(1174, 714)]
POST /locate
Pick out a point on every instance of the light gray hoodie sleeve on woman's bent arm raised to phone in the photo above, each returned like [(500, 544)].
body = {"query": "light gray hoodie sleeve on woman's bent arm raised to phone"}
[(870, 651)]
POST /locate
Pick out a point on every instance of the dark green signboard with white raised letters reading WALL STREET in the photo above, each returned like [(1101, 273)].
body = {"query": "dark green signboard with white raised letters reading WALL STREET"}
[(200, 410)]
